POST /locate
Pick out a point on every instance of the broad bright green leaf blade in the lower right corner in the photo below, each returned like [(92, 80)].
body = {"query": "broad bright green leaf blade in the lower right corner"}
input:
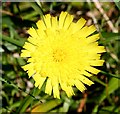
[(112, 86)]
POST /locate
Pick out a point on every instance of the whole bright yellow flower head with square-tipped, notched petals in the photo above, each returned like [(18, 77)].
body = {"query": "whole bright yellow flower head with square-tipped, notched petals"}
[(63, 53)]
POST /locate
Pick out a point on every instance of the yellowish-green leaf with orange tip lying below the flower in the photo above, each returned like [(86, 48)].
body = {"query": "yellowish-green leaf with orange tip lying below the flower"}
[(45, 107)]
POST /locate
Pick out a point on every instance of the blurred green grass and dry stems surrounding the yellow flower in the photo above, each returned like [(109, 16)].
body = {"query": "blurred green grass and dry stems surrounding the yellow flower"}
[(18, 93)]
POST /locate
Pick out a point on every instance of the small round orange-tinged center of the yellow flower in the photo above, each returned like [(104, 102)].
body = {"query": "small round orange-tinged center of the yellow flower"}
[(58, 55)]
